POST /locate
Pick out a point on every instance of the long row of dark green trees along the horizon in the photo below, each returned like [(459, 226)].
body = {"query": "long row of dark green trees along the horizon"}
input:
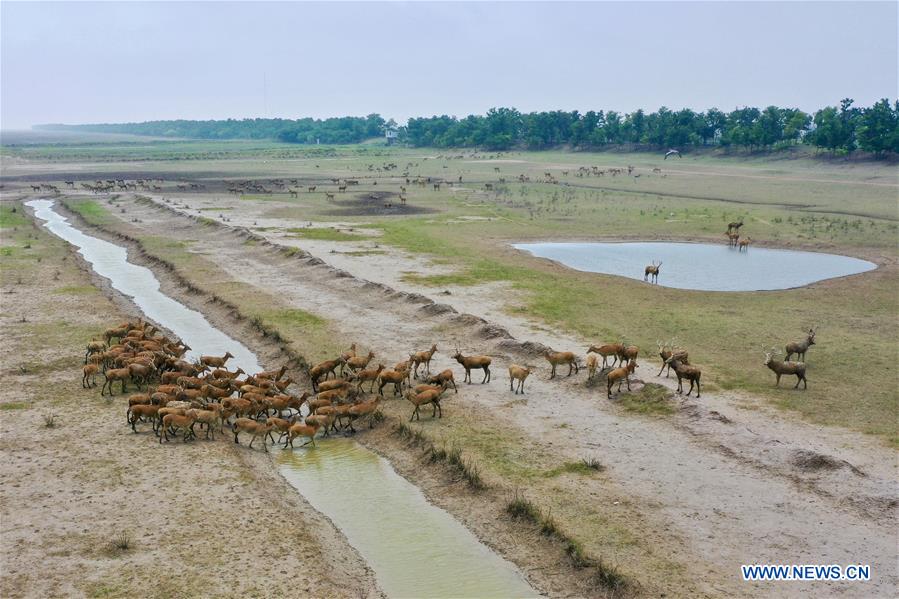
[(839, 129)]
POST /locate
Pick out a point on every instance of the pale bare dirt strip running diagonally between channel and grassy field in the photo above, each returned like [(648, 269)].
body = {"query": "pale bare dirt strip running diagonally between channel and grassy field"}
[(733, 483)]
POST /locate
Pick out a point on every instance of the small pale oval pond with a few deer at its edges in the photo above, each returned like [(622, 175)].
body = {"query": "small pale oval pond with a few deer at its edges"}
[(703, 266)]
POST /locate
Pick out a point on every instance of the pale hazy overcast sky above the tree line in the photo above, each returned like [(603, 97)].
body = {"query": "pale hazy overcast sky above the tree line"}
[(128, 61)]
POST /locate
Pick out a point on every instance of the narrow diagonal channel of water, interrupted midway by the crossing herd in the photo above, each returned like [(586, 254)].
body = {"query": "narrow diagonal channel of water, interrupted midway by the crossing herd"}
[(415, 548)]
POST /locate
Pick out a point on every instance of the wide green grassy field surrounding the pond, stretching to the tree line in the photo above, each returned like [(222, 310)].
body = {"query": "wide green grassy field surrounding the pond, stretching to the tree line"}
[(796, 202)]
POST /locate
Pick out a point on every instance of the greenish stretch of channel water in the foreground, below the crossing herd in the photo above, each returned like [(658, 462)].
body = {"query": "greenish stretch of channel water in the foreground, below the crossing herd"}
[(416, 549)]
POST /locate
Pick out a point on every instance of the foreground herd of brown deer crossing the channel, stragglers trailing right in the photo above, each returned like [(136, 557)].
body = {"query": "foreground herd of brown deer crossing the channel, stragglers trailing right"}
[(175, 395)]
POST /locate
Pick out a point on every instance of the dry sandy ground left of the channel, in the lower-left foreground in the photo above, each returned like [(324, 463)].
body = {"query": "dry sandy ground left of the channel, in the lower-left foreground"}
[(202, 518)]
